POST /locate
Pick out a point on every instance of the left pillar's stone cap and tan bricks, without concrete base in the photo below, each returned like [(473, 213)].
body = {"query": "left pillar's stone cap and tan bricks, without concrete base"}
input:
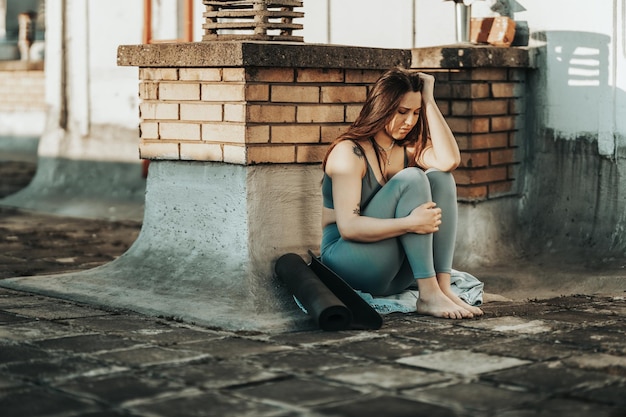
[(257, 112)]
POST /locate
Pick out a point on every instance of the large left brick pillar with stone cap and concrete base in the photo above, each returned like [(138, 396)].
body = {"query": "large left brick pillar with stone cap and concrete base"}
[(235, 132)]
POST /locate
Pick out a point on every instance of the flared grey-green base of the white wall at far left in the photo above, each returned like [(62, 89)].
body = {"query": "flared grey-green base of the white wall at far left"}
[(94, 176)]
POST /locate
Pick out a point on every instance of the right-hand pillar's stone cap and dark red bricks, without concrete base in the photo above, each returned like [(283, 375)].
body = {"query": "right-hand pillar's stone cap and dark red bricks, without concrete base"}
[(480, 91)]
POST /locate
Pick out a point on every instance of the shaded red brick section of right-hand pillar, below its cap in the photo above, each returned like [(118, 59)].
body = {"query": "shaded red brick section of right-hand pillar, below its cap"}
[(483, 107)]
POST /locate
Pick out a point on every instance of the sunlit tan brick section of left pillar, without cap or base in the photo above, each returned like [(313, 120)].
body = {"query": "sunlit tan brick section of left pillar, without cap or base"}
[(247, 115)]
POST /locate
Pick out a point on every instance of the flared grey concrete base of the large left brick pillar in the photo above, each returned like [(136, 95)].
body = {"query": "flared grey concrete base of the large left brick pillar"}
[(206, 251)]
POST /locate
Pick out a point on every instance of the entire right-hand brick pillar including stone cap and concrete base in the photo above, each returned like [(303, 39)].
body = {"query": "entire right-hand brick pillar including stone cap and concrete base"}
[(481, 92)]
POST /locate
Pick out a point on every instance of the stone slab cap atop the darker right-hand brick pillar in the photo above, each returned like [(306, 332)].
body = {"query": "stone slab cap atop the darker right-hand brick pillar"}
[(473, 56)]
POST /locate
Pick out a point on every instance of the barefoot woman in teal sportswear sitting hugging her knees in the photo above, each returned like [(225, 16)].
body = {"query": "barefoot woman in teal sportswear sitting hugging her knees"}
[(390, 208)]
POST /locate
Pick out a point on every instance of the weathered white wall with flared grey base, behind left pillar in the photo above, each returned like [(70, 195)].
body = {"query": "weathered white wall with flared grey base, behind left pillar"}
[(88, 159)]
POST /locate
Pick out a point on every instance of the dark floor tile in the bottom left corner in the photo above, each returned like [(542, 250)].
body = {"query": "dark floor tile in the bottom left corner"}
[(39, 402)]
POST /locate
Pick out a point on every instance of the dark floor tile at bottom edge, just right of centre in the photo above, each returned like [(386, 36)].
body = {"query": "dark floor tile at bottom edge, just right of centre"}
[(387, 406)]
